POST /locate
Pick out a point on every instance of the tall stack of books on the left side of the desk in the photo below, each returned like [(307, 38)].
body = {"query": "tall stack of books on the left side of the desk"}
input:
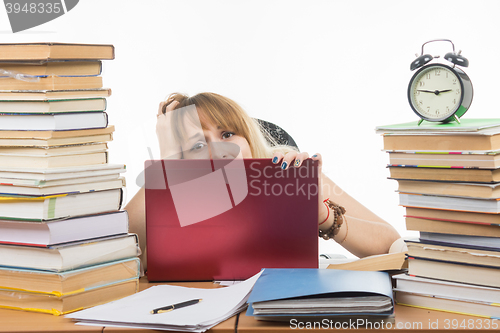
[(64, 242)]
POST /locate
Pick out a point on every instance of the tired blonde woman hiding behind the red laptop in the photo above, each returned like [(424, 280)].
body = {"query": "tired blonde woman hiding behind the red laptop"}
[(216, 121)]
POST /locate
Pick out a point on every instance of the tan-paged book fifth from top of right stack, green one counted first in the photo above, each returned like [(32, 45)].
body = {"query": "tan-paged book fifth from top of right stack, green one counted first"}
[(474, 190)]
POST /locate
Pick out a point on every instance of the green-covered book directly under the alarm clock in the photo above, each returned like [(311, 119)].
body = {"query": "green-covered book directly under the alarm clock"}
[(466, 126)]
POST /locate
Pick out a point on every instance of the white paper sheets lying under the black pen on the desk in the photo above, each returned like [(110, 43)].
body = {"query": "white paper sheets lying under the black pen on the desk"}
[(134, 311)]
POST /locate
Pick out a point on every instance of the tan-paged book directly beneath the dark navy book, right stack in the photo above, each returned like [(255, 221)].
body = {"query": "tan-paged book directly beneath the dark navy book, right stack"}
[(453, 253)]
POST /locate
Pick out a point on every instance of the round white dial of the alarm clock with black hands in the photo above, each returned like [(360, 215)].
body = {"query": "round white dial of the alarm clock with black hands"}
[(435, 92)]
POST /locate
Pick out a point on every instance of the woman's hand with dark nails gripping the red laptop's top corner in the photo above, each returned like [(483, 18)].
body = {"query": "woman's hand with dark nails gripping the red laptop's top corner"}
[(294, 160)]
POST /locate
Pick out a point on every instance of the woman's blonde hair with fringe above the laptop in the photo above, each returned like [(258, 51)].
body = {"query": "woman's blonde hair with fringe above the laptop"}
[(227, 114)]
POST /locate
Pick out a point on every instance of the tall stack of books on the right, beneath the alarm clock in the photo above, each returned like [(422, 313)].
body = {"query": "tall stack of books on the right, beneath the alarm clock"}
[(449, 183)]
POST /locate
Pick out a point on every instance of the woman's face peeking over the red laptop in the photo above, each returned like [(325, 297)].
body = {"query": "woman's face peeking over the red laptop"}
[(213, 142)]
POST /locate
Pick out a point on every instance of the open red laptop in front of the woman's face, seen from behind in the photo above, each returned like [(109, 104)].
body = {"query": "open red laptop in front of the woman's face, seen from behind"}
[(228, 219)]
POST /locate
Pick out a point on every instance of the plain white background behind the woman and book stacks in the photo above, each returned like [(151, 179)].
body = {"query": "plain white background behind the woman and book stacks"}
[(328, 72)]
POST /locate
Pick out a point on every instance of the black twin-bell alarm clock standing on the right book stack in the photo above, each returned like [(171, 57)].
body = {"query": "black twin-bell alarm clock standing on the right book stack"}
[(440, 91)]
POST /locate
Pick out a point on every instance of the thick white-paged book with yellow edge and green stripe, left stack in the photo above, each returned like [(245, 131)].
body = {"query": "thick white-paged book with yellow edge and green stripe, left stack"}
[(39, 208)]
